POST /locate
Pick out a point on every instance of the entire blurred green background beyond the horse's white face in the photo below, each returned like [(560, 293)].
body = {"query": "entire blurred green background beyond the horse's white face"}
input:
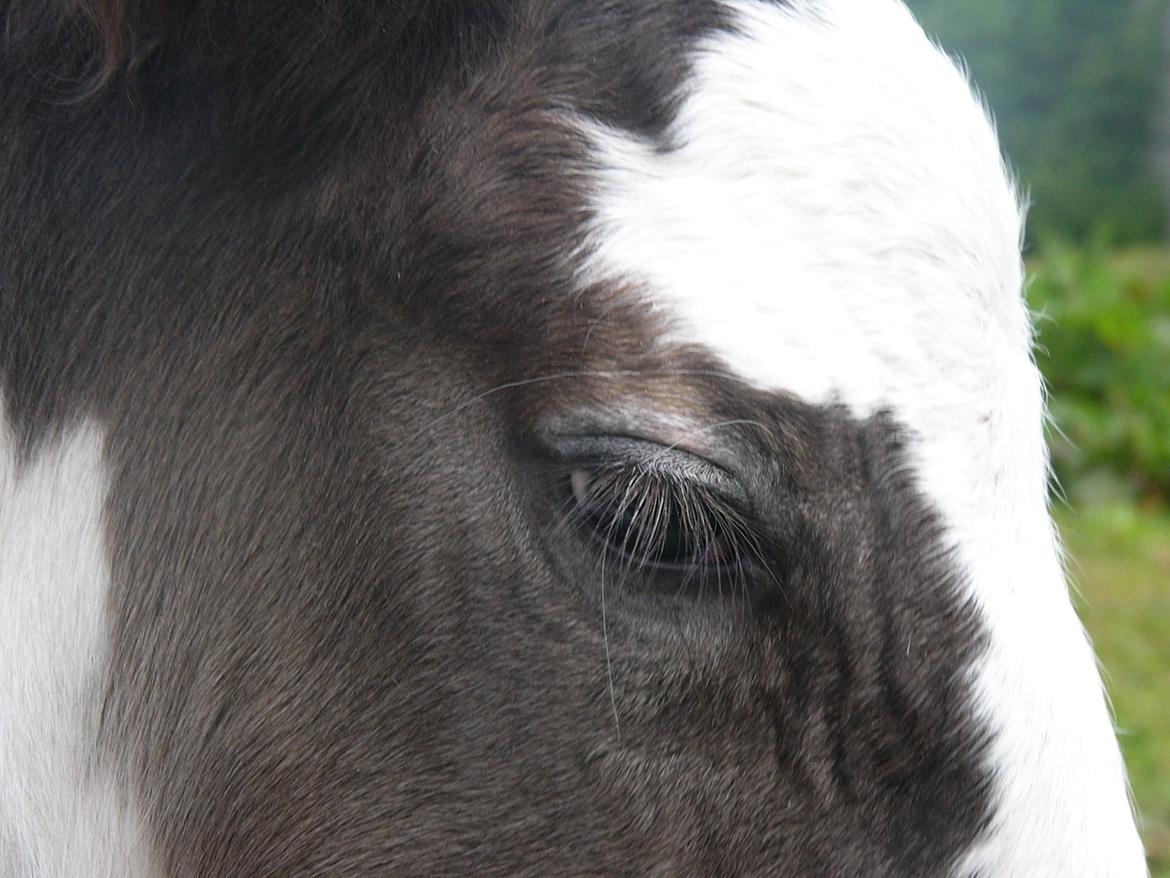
[(1080, 92)]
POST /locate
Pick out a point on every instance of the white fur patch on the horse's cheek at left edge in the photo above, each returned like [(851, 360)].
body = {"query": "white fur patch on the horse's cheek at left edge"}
[(63, 815)]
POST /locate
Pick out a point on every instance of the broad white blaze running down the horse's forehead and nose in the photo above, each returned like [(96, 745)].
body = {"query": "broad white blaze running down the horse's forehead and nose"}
[(836, 222)]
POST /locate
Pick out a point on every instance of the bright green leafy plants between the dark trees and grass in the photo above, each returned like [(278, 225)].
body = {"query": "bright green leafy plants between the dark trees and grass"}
[(1104, 327)]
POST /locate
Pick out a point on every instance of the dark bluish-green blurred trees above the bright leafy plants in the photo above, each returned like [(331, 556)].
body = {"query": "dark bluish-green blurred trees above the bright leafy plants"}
[(1075, 88)]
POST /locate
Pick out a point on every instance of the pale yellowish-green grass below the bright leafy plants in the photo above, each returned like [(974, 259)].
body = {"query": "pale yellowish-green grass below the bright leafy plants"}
[(1120, 563)]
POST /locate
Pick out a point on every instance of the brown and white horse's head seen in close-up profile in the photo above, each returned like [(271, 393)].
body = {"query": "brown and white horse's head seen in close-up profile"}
[(322, 326)]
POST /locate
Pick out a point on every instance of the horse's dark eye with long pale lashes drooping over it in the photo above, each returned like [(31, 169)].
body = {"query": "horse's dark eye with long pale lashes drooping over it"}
[(653, 520)]
